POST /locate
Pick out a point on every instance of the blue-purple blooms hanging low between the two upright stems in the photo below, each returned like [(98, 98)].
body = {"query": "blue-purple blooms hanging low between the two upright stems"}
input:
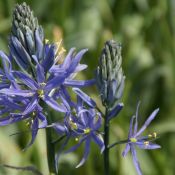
[(83, 125)]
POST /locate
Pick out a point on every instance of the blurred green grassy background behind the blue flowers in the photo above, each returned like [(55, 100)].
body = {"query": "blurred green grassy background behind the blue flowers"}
[(146, 29)]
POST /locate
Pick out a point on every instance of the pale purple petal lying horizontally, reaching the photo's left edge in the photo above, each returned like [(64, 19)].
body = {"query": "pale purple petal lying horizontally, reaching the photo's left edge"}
[(12, 92)]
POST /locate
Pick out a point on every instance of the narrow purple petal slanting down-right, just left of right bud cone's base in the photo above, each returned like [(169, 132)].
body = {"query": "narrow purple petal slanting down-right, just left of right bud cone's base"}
[(84, 97)]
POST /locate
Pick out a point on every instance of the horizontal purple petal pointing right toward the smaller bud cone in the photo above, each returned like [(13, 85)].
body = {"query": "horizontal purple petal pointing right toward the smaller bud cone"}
[(79, 83)]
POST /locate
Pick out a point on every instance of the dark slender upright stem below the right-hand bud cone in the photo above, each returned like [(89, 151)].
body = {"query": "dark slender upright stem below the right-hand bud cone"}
[(106, 142)]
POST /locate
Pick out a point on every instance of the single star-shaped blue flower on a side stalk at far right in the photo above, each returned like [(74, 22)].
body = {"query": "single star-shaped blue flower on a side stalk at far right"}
[(135, 138)]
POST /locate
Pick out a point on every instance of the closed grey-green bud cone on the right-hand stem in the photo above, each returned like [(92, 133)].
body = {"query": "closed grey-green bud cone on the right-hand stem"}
[(109, 74)]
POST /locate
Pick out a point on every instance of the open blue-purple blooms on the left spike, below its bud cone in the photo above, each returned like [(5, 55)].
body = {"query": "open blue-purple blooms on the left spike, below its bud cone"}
[(45, 84)]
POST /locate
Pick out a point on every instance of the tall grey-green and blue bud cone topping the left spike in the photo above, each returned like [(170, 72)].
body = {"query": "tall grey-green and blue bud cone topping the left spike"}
[(29, 36)]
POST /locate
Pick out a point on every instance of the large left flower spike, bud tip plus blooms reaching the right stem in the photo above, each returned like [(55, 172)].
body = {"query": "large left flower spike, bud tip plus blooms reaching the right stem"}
[(41, 81)]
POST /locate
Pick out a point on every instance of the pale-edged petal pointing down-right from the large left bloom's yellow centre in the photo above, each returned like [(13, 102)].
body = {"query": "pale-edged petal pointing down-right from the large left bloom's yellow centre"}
[(52, 103)]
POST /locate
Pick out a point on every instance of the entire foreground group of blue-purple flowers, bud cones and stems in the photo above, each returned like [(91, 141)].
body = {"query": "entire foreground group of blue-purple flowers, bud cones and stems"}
[(36, 76)]
